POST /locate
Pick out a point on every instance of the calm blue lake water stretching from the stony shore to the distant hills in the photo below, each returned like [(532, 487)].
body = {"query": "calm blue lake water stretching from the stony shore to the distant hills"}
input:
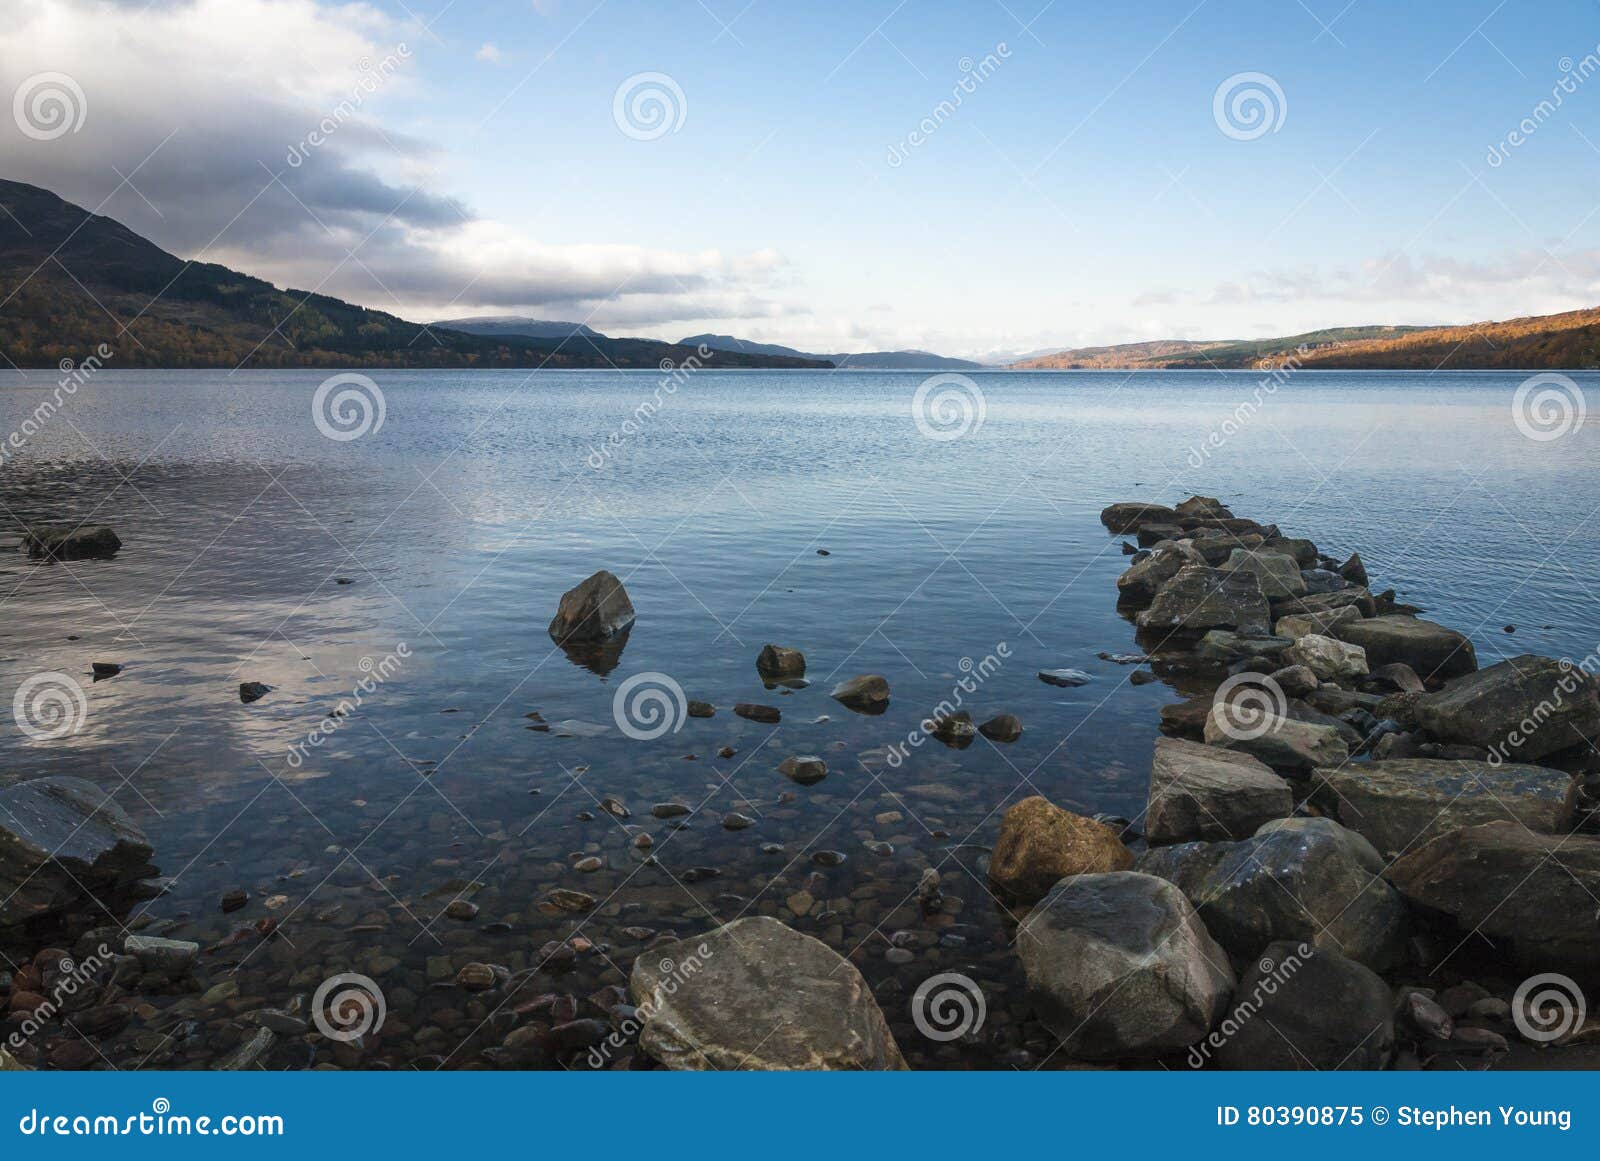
[(484, 497)]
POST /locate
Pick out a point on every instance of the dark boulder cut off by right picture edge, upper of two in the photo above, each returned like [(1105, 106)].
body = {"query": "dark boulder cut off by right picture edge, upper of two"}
[(1519, 709)]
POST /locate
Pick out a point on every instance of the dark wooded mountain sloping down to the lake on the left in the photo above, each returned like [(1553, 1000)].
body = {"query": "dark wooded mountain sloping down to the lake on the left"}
[(73, 281)]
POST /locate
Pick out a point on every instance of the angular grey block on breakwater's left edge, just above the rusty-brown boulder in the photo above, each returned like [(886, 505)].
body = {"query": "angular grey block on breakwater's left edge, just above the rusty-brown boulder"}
[(1206, 792)]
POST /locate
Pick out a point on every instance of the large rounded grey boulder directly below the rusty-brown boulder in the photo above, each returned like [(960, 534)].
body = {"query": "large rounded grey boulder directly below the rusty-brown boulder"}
[(1121, 967)]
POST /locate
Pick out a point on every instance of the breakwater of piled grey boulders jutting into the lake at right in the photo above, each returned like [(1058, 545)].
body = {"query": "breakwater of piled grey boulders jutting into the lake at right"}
[(1354, 832)]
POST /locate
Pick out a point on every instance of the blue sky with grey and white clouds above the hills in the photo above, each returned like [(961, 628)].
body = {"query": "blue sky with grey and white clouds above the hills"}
[(982, 180)]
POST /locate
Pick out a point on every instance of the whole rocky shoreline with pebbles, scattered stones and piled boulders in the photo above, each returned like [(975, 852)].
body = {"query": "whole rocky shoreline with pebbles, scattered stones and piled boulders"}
[(1359, 847)]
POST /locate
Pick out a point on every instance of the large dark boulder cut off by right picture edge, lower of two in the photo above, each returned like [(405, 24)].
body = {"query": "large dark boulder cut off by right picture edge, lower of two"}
[(1535, 893)]
